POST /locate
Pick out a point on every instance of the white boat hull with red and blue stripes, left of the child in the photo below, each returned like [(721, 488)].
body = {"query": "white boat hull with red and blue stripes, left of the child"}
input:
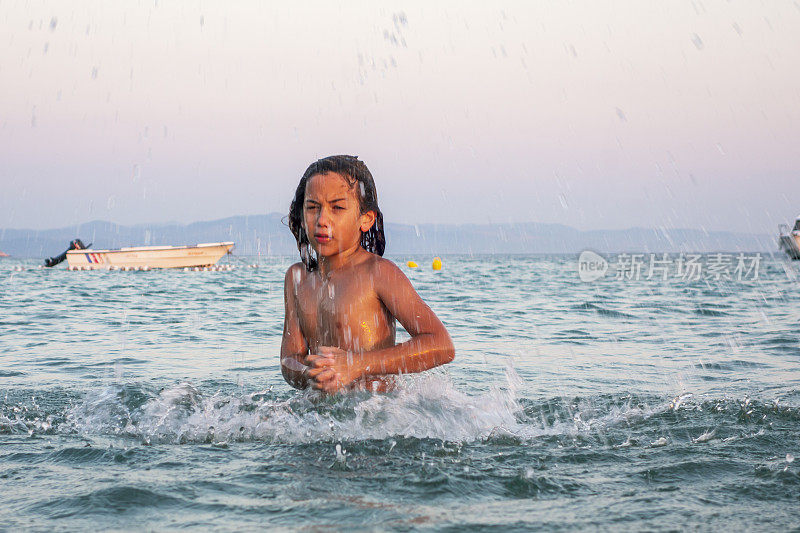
[(147, 257)]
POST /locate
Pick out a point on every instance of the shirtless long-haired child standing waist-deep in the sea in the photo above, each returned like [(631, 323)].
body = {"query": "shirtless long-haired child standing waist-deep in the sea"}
[(343, 298)]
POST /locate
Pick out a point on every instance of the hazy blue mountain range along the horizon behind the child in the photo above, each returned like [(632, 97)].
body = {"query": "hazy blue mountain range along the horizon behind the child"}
[(268, 235)]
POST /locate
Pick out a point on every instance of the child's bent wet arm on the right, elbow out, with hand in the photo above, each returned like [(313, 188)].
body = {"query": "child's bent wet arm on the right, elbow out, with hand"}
[(430, 344)]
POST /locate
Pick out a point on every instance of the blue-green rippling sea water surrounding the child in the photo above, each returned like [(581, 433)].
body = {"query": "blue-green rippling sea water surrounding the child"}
[(154, 400)]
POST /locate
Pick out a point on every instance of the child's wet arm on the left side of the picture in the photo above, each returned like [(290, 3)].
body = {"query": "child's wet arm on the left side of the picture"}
[(293, 346)]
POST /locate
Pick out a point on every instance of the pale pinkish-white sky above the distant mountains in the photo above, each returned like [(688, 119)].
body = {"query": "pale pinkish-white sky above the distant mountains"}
[(596, 114)]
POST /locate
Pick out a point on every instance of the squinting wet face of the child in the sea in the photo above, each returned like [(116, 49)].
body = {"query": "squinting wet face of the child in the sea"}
[(332, 215)]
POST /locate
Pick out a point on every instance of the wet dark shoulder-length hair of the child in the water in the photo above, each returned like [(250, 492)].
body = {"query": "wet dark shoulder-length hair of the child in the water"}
[(356, 173)]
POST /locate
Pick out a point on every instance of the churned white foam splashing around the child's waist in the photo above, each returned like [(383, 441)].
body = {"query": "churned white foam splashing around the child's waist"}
[(424, 406)]
